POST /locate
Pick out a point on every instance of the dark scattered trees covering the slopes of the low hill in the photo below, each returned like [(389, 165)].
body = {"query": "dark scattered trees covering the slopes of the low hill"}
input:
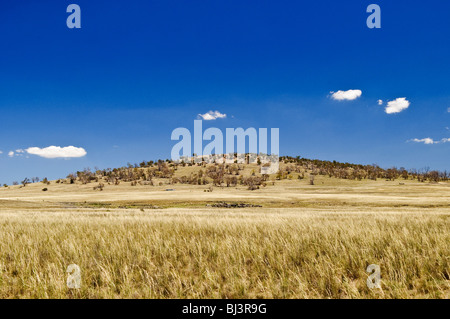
[(232, 174)]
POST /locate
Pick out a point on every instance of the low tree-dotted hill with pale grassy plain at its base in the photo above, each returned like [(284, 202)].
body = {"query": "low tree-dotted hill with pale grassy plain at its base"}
[(299, 183)]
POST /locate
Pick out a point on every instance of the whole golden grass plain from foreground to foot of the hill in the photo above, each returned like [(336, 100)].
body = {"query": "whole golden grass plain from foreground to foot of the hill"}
[(305, 242)]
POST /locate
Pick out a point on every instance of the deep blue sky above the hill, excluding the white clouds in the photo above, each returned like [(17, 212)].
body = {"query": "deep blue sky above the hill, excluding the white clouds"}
[(136, 70)]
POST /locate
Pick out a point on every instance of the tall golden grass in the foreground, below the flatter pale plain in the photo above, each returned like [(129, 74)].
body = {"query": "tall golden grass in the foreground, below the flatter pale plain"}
[(224, 254)]
